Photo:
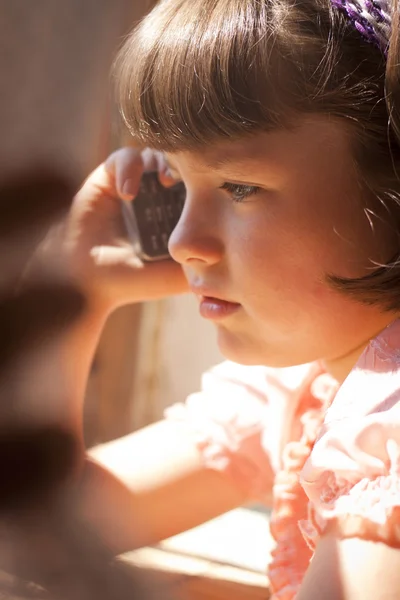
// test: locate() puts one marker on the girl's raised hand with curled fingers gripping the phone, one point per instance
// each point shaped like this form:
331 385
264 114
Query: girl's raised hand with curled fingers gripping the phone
99 252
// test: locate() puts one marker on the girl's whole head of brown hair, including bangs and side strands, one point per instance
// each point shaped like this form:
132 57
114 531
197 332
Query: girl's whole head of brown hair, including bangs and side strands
197 71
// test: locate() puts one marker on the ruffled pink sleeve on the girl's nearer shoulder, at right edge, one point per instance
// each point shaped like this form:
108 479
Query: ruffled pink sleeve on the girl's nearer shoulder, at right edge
353 473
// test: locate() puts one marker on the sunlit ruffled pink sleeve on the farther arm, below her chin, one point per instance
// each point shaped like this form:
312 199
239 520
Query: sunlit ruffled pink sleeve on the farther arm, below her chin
230 418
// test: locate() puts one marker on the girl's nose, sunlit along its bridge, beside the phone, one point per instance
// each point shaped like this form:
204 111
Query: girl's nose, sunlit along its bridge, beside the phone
197 236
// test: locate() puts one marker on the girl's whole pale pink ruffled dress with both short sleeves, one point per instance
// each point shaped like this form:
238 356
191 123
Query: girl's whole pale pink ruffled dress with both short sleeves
326 452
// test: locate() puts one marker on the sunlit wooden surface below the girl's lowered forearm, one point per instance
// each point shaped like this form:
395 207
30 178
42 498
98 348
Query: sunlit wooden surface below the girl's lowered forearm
207 563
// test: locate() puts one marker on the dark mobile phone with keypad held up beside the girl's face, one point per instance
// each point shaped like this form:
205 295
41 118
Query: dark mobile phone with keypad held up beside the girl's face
152 216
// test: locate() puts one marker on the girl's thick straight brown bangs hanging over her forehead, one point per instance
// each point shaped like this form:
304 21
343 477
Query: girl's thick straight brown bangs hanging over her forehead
199 70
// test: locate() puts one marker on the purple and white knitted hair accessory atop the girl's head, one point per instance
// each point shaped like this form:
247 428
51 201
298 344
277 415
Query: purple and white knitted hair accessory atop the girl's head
372 18
